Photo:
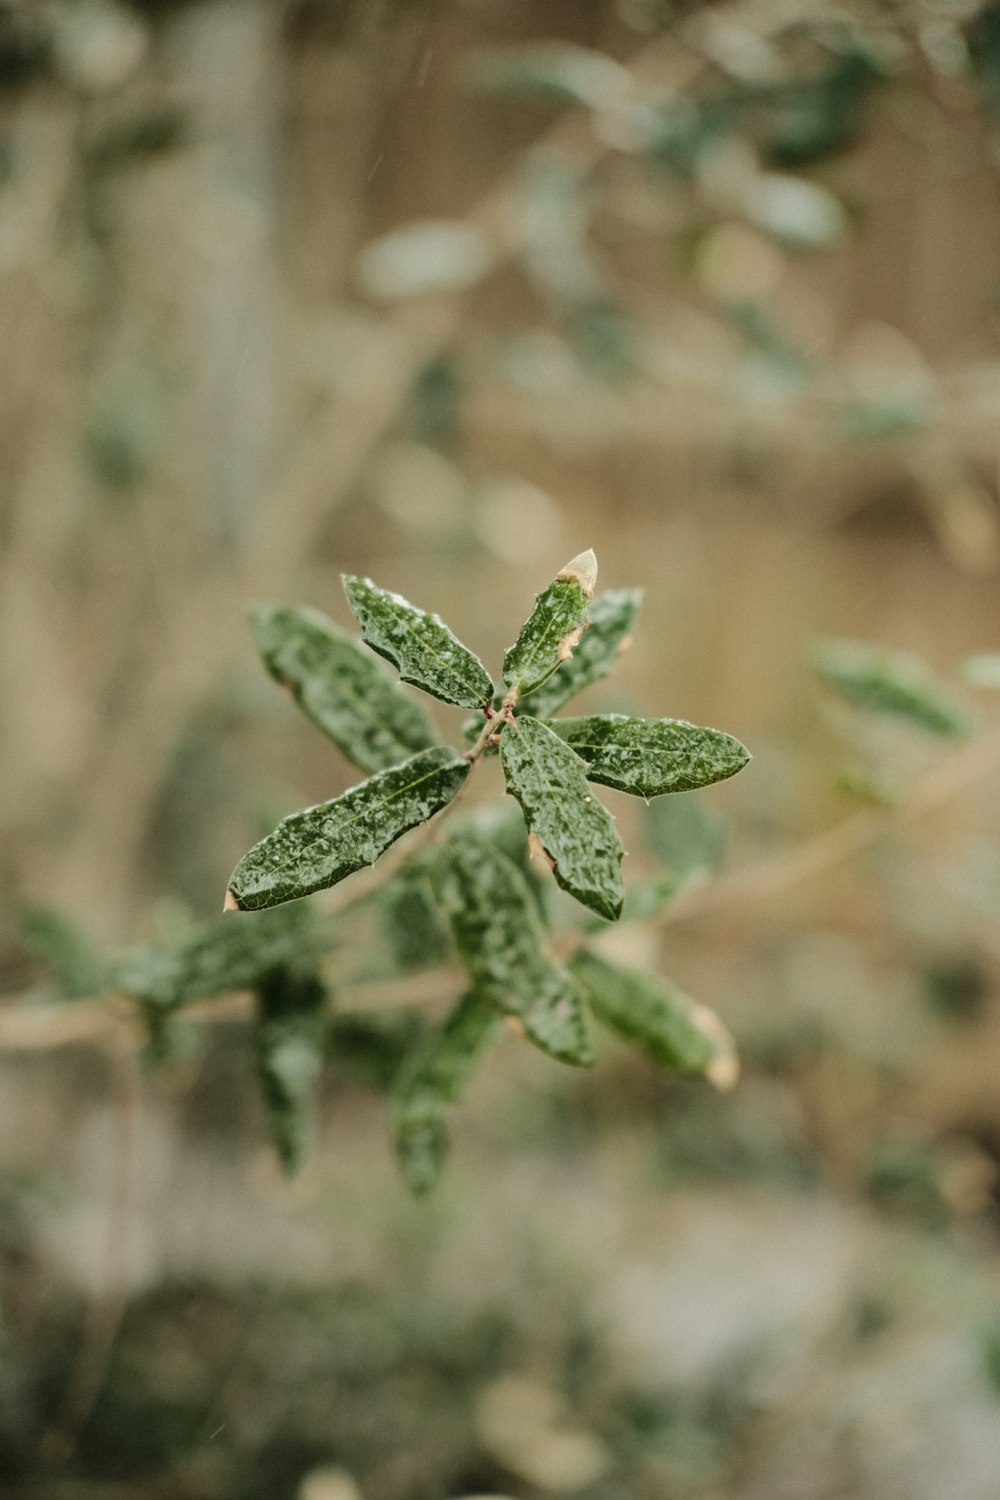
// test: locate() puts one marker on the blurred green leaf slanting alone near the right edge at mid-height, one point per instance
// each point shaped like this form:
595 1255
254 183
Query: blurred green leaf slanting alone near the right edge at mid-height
894 683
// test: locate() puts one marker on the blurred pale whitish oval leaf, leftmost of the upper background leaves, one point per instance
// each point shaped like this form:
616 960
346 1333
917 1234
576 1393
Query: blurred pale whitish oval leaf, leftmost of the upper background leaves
428 257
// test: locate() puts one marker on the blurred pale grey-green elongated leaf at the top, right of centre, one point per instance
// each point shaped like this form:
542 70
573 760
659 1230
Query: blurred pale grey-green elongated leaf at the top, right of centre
552 74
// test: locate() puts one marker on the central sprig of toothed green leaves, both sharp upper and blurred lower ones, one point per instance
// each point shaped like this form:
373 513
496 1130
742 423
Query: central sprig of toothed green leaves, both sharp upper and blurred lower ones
469 887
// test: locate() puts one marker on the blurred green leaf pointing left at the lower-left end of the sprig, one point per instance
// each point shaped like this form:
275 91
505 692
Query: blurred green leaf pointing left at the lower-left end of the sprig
232 955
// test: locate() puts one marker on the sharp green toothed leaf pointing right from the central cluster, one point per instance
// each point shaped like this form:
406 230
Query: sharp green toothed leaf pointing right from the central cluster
651 757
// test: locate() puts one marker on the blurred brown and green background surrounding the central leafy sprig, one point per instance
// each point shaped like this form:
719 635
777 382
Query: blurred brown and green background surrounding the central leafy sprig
448 293
